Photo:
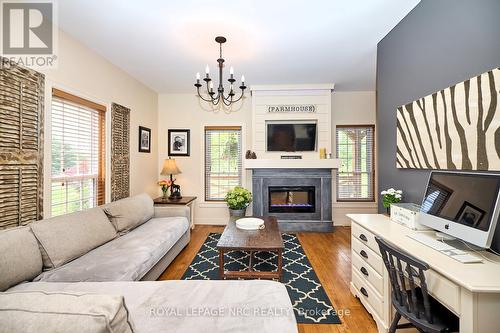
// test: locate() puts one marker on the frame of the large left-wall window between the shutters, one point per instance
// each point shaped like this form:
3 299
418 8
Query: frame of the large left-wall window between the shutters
100 178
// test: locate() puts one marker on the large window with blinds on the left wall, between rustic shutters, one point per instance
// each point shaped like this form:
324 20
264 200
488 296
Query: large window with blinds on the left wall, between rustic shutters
78 153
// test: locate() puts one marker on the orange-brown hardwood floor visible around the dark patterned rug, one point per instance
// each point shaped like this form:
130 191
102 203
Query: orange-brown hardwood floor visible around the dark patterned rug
329 254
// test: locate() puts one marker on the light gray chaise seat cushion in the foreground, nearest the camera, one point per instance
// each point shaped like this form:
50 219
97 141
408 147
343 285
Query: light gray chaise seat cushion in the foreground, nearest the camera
194 306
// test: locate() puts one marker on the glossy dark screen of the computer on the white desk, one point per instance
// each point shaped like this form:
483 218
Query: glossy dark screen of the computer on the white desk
467 199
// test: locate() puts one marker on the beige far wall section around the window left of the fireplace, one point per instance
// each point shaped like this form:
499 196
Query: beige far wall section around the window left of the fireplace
184 111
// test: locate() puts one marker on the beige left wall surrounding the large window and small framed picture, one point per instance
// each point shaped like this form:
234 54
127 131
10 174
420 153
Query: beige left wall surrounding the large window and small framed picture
84 73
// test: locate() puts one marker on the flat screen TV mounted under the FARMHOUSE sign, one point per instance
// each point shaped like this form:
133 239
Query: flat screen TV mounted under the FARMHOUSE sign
291 137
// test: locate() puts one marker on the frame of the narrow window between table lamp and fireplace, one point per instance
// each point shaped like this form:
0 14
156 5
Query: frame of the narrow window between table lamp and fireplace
206 127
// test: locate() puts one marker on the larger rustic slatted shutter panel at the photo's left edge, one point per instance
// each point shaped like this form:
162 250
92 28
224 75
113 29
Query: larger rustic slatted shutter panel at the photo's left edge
21 145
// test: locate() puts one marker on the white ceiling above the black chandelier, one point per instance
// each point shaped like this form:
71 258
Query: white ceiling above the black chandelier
164 43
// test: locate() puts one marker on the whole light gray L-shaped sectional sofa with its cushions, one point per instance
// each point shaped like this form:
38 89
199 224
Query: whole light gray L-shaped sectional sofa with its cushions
81 272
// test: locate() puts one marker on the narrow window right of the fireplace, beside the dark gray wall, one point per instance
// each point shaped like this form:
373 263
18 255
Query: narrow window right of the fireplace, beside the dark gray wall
355 177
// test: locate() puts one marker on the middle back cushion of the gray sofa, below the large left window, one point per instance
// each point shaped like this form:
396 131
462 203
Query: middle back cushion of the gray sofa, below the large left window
64 238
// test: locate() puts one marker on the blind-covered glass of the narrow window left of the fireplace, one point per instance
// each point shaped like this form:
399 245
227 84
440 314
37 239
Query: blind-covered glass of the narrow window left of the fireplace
222 161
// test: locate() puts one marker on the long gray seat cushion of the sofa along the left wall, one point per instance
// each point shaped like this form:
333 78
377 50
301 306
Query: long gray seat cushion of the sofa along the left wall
126 258
